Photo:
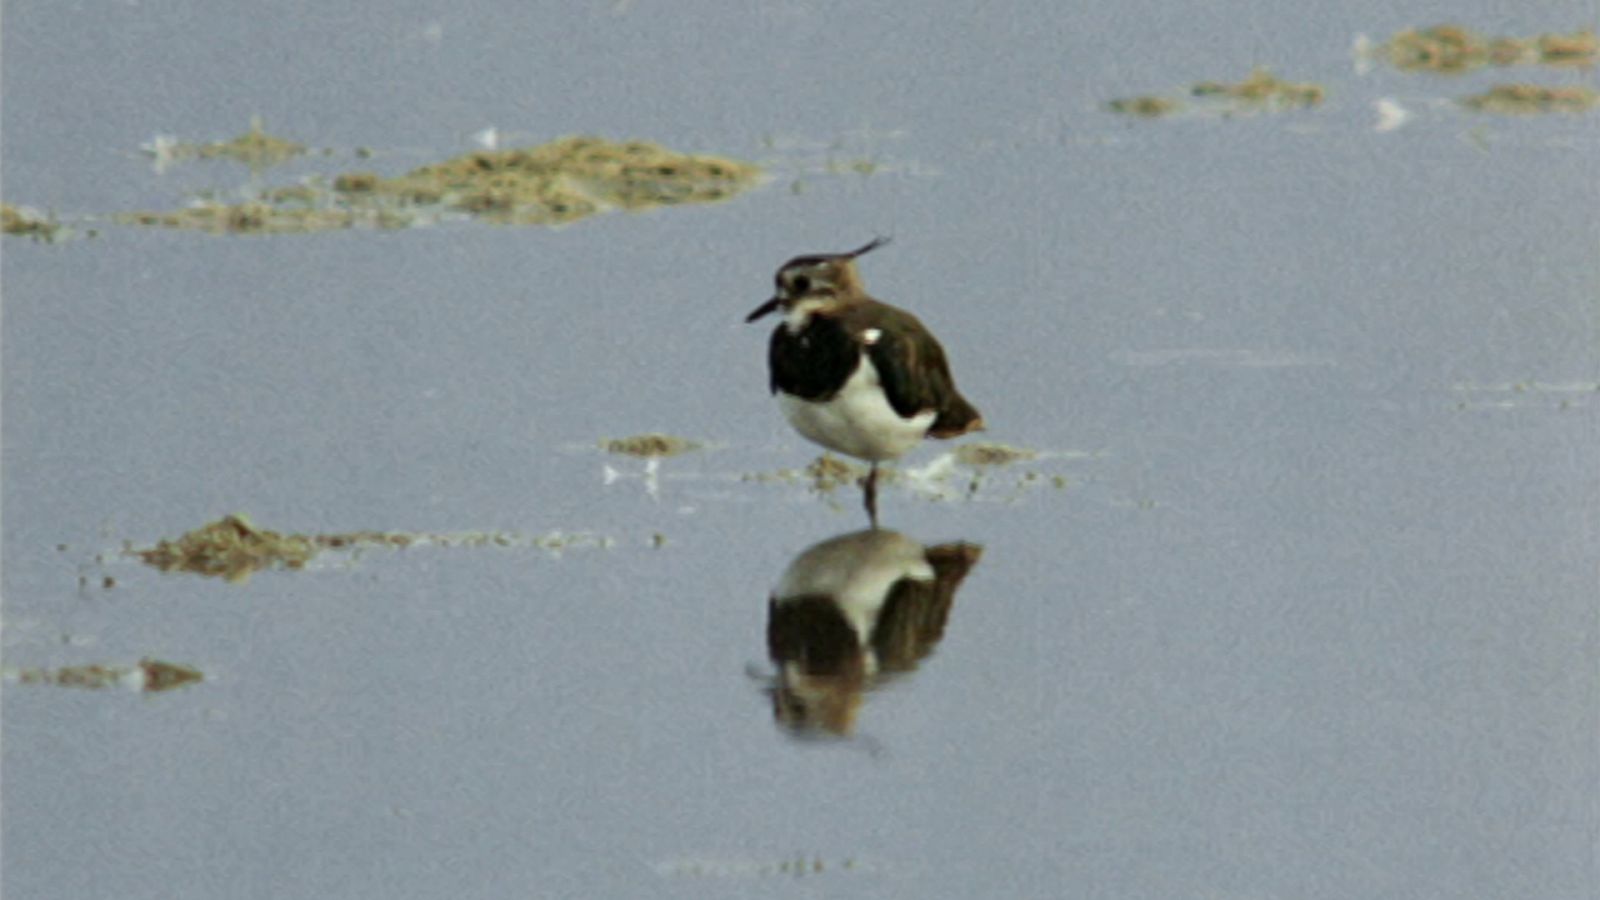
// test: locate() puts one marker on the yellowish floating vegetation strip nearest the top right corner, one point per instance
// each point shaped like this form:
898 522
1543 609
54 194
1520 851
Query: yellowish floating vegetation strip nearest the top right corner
1455 49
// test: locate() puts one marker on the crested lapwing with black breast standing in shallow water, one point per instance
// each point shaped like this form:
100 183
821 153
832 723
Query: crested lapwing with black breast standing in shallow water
857 376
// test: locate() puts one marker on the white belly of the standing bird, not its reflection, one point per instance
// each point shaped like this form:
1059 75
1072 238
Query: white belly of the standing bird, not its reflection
858 420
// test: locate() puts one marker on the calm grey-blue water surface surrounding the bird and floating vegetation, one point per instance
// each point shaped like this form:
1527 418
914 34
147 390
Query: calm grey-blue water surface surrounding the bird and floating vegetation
1298 597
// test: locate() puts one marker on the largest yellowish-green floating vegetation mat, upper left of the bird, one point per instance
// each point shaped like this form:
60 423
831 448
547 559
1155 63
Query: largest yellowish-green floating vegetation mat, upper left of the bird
548 185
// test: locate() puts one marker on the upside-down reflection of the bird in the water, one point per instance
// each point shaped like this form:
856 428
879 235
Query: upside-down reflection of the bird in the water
852 613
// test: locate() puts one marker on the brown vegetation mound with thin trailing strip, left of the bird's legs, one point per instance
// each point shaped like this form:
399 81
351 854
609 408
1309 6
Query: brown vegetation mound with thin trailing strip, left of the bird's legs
234 548
